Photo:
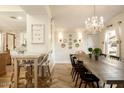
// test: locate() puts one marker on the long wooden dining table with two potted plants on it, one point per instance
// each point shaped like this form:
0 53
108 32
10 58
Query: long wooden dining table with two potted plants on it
107 70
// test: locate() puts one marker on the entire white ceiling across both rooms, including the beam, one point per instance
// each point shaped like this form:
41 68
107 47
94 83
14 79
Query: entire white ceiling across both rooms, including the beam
65 16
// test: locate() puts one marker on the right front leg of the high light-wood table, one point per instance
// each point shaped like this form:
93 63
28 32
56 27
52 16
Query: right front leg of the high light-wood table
35 73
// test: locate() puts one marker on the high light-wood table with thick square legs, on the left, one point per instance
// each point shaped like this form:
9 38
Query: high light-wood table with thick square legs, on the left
18 57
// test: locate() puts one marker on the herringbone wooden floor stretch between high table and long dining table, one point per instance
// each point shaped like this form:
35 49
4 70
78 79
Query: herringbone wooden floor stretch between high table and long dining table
61 76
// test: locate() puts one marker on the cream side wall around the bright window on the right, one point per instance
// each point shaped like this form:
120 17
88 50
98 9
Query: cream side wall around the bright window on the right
114 21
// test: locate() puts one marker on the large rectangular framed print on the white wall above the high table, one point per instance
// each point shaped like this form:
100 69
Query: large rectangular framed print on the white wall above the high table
38 31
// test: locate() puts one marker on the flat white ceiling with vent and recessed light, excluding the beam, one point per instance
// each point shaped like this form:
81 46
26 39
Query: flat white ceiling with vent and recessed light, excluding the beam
10 24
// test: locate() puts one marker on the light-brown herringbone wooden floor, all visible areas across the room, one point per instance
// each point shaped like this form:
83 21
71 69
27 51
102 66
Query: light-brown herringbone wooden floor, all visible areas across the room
61 77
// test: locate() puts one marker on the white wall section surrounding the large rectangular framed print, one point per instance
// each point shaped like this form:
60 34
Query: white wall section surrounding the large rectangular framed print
38 19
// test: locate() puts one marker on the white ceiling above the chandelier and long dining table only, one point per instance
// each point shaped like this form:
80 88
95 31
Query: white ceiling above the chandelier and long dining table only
74 16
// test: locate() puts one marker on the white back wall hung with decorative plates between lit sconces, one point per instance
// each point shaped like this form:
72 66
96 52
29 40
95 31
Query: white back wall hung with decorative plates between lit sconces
62 54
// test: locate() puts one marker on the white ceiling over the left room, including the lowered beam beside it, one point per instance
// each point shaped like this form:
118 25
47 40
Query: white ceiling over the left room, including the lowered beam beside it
14 25
